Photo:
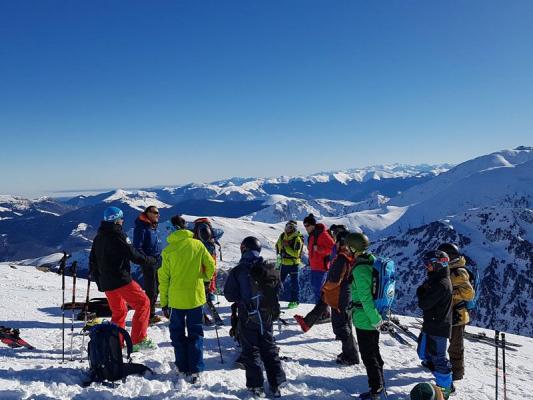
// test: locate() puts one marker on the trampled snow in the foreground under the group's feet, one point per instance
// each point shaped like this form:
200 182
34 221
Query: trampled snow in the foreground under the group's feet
31 302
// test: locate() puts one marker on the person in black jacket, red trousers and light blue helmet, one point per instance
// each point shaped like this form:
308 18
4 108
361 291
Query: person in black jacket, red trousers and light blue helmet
109 265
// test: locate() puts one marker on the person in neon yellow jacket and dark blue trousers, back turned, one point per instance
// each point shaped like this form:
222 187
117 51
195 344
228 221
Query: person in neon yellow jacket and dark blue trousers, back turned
186 266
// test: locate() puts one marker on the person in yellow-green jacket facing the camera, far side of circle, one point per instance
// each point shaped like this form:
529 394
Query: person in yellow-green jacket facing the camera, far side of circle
289 249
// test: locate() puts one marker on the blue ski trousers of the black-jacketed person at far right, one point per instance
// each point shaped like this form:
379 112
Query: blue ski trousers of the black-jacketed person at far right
433 350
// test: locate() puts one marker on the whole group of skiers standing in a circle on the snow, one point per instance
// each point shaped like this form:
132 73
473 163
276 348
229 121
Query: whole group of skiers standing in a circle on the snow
341 274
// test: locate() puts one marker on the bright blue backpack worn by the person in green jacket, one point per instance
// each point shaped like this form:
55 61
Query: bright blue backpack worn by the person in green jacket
383 284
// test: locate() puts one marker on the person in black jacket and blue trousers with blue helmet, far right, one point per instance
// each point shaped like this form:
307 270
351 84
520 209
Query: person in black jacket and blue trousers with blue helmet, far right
435 300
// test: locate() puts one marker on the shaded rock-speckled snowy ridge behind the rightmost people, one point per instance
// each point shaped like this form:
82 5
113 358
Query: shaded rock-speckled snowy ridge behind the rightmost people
497 243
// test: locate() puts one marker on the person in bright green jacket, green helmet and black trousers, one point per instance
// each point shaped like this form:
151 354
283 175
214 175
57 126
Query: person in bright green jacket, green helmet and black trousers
365 316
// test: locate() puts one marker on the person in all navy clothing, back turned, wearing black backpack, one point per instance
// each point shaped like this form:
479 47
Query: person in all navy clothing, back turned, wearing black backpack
254 285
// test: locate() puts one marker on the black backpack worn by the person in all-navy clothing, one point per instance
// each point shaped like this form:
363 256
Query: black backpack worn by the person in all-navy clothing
265 283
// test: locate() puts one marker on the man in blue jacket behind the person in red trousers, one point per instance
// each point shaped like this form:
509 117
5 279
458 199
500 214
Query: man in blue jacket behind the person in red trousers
146 240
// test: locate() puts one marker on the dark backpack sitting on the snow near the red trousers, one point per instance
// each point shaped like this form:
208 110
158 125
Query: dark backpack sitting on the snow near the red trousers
105 354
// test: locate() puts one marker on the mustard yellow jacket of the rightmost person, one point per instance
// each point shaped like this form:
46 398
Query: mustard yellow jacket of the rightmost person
462 291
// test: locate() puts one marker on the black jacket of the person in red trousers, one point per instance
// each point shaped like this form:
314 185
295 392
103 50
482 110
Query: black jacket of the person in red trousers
109 261
